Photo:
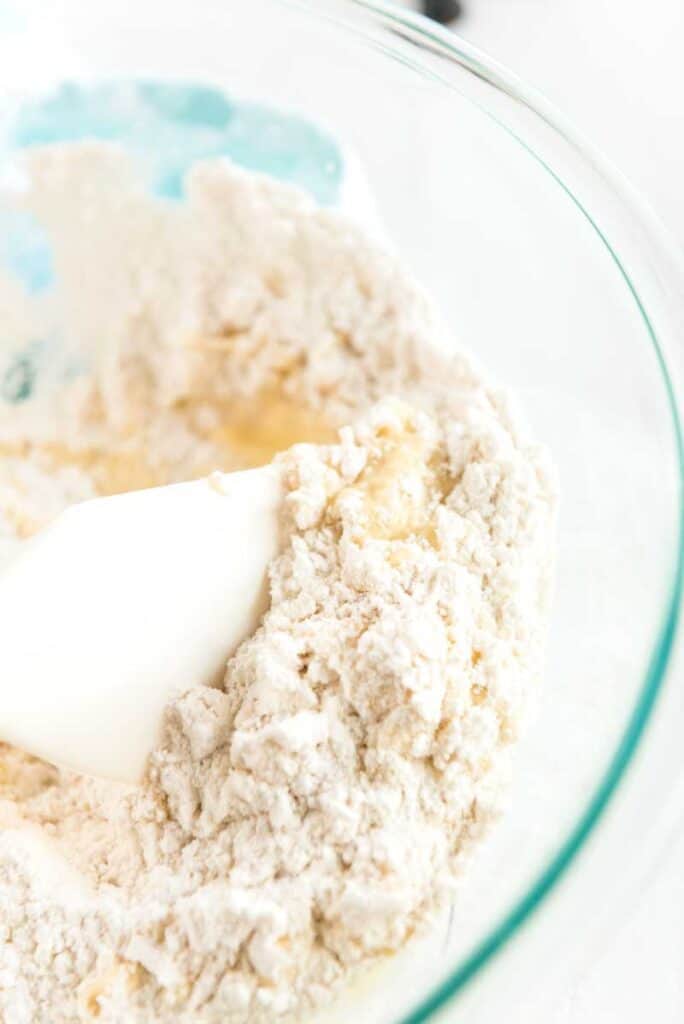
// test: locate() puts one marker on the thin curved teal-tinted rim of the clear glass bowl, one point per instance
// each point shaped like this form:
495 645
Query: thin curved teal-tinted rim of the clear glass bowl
499 77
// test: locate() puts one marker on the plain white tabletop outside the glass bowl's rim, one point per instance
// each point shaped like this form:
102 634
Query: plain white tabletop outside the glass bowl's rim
617 69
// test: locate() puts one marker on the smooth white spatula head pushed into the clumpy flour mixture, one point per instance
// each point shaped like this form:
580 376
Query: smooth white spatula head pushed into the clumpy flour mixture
121 604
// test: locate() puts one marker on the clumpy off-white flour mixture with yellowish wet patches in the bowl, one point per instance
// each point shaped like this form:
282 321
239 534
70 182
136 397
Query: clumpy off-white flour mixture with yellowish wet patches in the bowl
308 818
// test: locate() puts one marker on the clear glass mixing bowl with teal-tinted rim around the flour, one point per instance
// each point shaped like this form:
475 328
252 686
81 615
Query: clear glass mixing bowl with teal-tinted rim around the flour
548 269
